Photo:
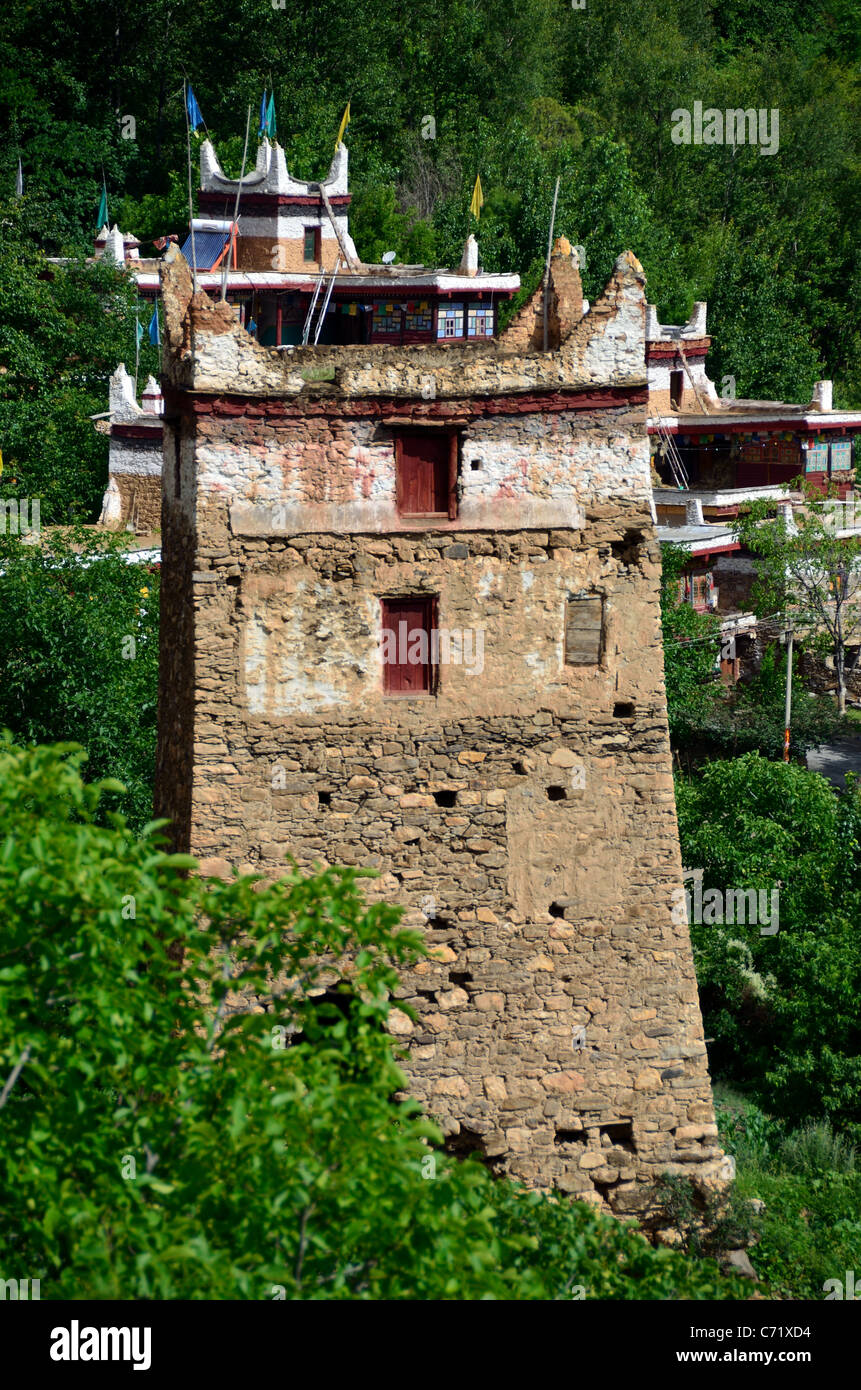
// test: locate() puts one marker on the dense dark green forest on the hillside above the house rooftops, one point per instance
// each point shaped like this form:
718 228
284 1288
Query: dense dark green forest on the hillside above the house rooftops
444 90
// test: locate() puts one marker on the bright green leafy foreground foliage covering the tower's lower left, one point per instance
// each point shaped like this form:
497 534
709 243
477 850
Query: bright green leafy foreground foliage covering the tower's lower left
200 1086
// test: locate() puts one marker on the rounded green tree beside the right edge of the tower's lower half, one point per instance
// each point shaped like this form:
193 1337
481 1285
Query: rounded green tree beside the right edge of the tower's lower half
781 1007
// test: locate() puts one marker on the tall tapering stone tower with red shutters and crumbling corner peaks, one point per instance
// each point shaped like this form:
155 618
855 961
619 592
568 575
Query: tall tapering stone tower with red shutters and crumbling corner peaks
411 622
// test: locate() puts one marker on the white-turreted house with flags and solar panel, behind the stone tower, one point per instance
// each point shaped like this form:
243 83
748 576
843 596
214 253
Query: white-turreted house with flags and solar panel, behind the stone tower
289 265
